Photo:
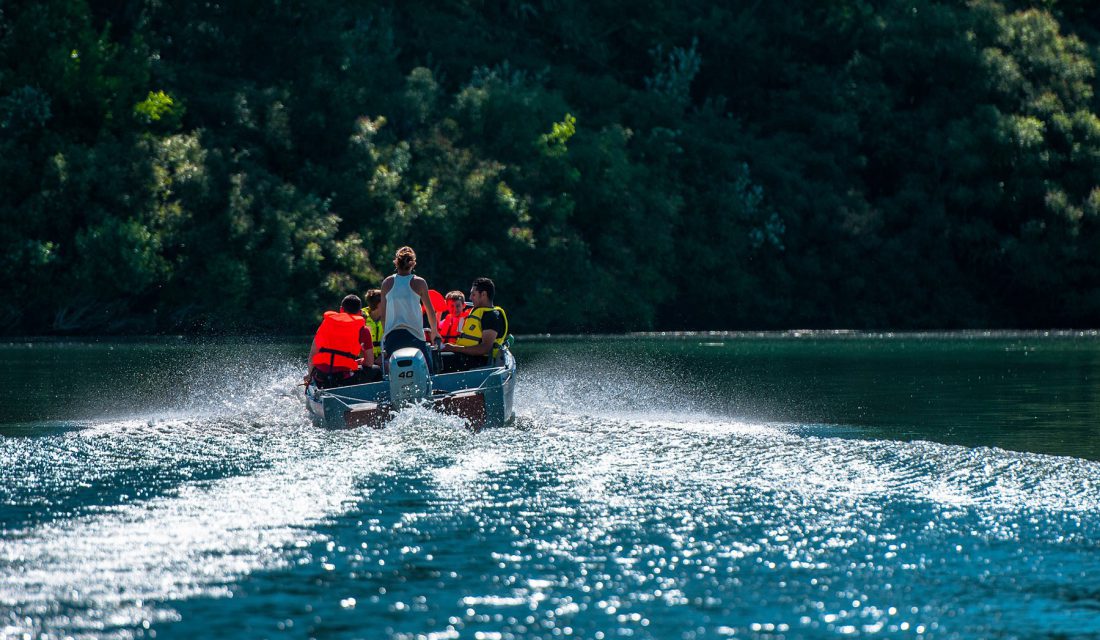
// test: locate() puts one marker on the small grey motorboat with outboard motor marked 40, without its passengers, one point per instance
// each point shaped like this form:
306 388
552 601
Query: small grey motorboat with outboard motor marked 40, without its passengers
482 396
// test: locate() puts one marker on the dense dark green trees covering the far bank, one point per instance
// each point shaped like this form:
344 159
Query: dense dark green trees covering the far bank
178 167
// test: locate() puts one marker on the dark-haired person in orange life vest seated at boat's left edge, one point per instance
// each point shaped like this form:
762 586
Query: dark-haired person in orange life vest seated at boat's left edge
343 352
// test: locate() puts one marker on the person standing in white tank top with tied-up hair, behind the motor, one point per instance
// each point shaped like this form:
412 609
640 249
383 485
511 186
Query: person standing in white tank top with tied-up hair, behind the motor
402 296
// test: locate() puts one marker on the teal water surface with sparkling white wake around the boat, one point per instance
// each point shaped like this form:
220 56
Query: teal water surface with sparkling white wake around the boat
774 487
